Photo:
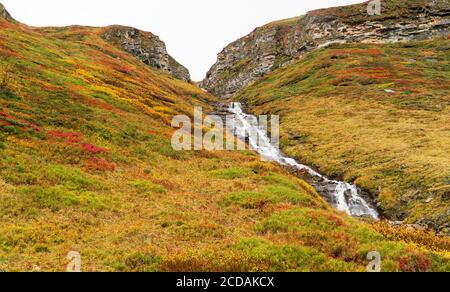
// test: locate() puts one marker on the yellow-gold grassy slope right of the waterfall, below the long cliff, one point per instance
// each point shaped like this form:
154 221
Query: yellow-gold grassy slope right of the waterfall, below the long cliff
378 116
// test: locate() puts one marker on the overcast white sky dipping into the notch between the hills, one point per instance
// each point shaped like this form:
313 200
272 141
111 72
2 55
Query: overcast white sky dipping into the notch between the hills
193 30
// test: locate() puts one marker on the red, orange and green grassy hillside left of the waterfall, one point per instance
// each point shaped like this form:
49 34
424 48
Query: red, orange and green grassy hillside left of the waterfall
86 165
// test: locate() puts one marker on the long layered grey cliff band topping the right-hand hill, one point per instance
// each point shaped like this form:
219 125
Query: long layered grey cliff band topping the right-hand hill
280 43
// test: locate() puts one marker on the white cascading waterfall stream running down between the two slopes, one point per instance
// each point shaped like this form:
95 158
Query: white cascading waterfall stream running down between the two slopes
344 196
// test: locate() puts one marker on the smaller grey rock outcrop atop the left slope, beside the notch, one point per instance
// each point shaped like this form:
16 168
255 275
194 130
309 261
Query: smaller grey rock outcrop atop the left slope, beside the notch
148 48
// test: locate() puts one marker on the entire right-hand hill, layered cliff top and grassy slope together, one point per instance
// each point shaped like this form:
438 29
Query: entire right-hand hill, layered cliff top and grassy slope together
366 110
